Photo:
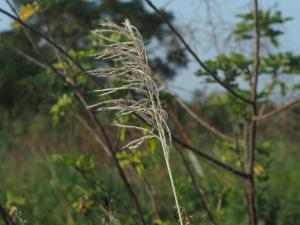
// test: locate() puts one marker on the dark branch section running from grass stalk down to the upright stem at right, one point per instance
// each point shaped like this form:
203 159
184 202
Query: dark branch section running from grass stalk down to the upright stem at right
212 159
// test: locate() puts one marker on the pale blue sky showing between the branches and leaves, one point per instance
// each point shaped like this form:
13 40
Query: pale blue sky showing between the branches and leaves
192 18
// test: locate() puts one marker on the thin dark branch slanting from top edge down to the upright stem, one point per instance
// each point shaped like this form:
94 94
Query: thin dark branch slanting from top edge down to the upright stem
195 56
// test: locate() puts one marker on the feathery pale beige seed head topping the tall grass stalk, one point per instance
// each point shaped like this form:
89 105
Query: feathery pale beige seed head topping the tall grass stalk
132 71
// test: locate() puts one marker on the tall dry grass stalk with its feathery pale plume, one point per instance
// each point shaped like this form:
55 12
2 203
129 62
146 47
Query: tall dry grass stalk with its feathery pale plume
124 49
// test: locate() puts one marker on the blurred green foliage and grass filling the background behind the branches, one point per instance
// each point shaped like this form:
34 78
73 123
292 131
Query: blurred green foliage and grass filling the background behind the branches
53 171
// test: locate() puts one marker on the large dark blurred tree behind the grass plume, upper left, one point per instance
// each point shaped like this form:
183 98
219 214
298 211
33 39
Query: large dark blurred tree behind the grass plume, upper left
69 23
